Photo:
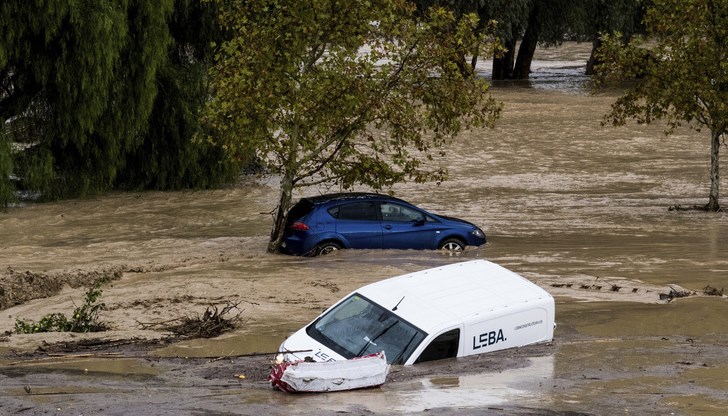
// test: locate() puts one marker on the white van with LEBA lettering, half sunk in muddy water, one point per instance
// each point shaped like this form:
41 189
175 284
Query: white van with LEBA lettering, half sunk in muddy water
450 311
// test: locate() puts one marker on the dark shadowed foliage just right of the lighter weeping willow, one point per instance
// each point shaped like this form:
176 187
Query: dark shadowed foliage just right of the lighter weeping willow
167 157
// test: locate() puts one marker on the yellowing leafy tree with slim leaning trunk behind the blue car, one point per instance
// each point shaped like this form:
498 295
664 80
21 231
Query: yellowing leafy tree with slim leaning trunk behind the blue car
338 92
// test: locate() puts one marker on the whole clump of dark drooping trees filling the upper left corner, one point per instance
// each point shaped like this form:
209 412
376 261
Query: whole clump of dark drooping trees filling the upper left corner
95 95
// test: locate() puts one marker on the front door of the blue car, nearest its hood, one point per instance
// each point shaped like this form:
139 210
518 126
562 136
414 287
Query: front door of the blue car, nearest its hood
404 227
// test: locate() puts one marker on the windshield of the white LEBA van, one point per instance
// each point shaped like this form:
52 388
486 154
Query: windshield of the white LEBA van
358 326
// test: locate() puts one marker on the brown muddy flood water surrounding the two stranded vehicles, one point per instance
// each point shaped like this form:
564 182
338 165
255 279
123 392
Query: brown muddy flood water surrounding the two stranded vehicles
579 209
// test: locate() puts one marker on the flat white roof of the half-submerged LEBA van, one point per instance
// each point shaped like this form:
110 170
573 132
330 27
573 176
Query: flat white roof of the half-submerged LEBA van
458 293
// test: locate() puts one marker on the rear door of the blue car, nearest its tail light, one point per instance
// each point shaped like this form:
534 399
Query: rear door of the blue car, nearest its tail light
359 224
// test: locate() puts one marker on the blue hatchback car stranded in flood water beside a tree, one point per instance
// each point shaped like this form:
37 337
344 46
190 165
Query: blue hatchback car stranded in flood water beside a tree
326 223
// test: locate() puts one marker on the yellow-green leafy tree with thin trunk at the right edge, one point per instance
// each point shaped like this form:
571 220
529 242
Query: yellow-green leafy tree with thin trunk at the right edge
681 72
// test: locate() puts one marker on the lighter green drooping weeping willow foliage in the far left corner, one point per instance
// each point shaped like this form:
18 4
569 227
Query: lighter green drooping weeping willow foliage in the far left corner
78 83
